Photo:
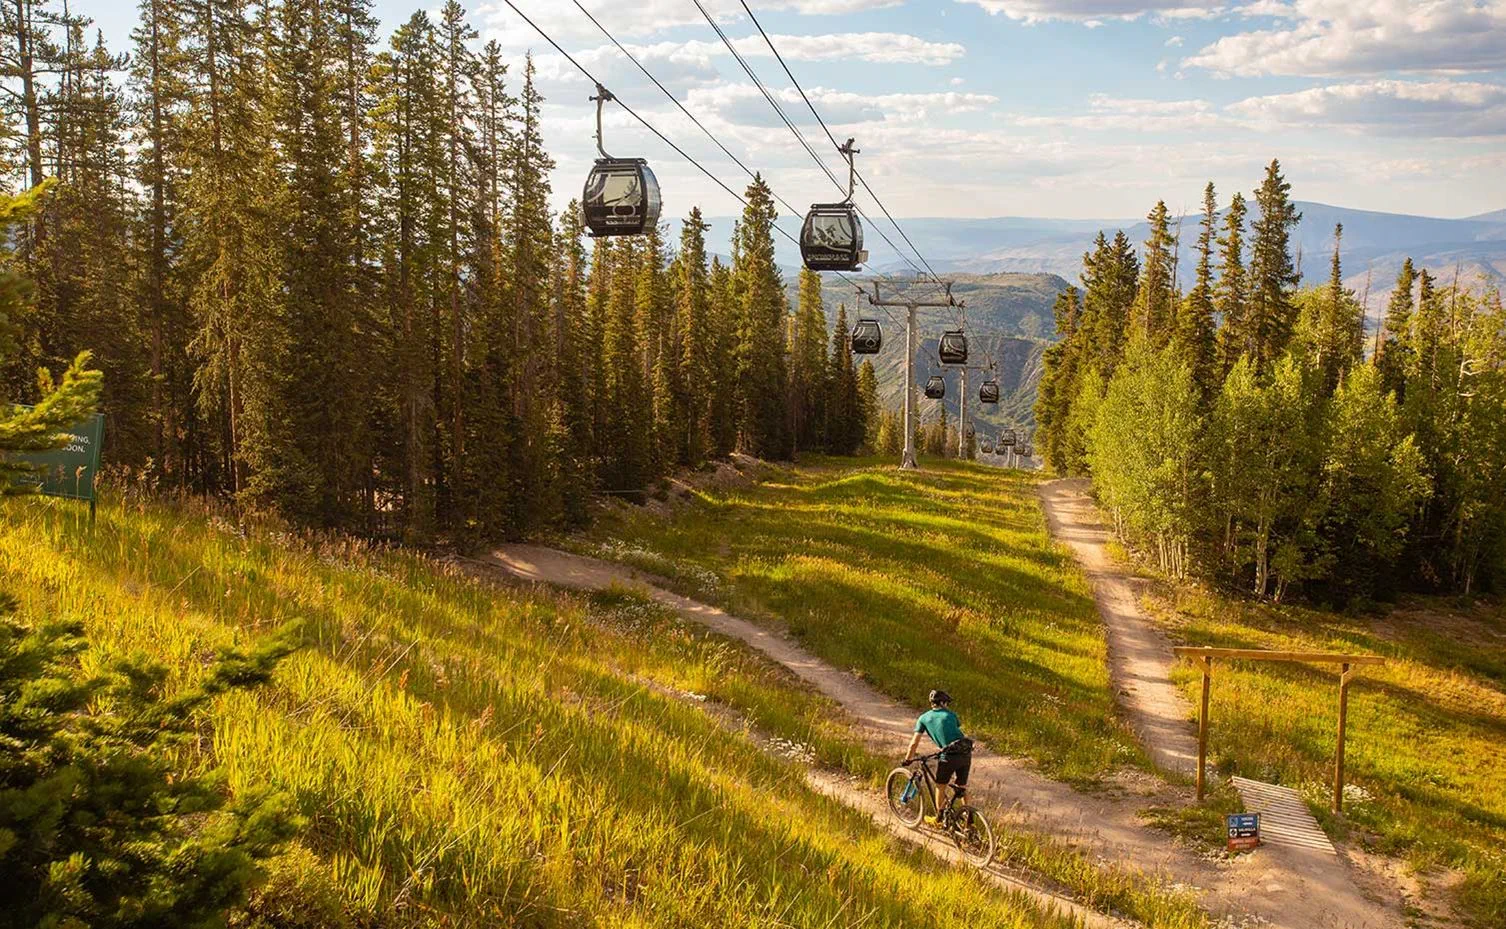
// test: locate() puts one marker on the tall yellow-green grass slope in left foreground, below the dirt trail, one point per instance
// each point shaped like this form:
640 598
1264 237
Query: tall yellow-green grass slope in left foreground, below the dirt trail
480 757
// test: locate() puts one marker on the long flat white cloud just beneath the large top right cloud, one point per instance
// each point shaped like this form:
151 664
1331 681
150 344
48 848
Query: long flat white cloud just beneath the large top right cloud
1386 108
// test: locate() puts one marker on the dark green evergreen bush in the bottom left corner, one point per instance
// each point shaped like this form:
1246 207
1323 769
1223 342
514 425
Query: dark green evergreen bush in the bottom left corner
100 824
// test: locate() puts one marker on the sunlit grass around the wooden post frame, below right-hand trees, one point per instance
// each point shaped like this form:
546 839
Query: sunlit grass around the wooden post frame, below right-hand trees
1427 733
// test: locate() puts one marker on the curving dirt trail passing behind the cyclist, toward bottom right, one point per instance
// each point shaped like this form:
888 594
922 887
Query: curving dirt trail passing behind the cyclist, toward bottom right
1254 889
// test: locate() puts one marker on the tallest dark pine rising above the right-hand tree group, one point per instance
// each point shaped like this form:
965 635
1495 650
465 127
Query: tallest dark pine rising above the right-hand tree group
1273 278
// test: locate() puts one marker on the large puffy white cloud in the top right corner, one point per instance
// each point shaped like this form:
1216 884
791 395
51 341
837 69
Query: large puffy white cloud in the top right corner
1326 38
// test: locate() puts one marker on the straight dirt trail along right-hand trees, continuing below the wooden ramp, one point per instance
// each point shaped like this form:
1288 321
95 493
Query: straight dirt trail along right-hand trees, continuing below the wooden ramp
1141 663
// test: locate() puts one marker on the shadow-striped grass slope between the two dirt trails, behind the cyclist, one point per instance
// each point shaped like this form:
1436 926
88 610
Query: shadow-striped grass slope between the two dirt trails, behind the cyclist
944 577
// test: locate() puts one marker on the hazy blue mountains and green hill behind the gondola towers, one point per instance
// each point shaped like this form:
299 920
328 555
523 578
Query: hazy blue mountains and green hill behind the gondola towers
1011 269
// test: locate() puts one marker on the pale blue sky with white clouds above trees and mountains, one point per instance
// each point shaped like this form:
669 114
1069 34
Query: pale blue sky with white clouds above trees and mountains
1084 109
